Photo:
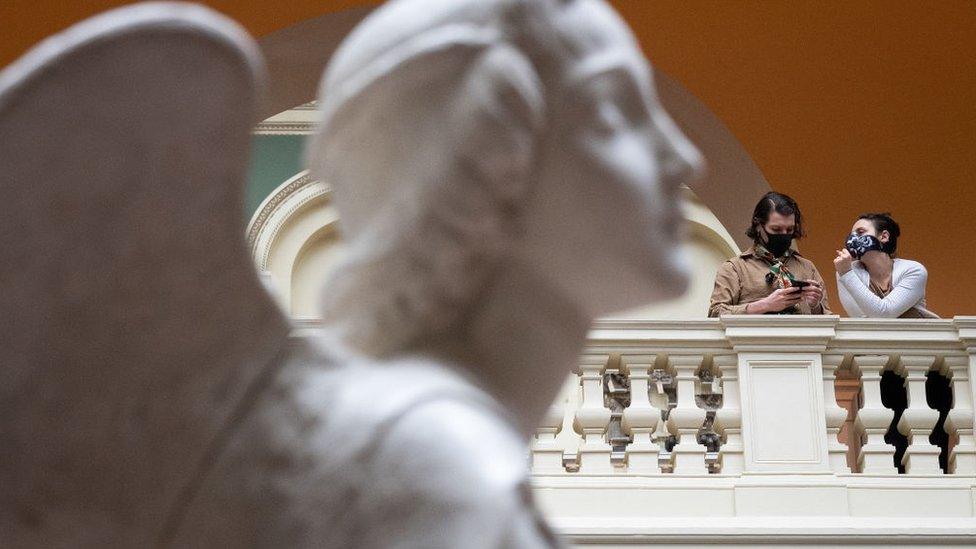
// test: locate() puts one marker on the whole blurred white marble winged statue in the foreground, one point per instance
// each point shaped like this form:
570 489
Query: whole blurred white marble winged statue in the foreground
504 174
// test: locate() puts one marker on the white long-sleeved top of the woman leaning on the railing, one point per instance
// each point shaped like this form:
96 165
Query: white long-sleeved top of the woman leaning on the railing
908 281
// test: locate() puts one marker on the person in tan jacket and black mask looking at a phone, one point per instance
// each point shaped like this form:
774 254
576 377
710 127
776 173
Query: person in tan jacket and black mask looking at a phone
770 277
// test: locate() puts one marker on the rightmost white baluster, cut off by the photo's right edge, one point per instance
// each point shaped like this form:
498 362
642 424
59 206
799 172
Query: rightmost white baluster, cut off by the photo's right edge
962 456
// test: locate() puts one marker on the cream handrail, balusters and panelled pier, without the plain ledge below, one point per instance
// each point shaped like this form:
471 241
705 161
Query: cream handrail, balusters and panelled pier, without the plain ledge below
864 348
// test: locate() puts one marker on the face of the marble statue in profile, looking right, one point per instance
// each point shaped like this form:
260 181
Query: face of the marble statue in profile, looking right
613 166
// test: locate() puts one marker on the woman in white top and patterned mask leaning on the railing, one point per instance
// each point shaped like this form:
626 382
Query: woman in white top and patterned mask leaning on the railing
871 281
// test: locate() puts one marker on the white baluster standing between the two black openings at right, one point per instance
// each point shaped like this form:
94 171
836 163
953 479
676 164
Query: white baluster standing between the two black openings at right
918 420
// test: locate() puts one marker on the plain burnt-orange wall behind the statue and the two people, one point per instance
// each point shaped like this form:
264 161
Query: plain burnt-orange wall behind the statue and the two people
848 106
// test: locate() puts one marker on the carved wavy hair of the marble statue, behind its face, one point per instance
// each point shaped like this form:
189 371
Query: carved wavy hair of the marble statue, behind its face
430 145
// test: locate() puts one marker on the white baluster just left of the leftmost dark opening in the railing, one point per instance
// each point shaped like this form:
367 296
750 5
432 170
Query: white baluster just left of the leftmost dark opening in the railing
593 417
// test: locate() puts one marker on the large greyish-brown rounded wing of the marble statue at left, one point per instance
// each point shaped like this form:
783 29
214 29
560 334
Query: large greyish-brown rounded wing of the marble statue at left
132 322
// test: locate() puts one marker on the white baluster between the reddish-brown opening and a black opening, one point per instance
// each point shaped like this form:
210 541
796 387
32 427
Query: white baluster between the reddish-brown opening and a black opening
873 419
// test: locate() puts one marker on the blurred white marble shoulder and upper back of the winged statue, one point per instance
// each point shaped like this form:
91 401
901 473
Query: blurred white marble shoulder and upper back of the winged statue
341 449
